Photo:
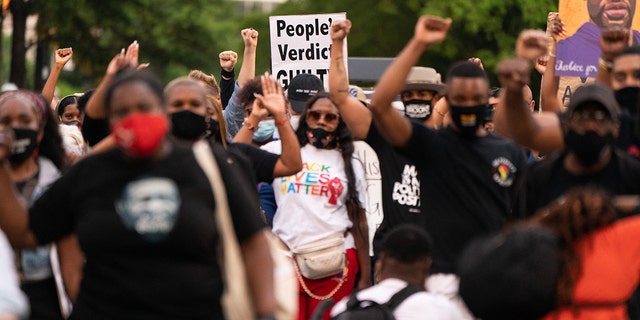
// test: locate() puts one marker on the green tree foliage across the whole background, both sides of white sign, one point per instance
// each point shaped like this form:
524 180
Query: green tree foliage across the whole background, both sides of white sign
179 35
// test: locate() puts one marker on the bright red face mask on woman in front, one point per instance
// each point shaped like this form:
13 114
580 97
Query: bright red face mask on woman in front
140 134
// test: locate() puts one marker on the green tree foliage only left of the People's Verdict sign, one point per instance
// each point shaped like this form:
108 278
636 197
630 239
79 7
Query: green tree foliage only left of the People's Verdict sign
174 35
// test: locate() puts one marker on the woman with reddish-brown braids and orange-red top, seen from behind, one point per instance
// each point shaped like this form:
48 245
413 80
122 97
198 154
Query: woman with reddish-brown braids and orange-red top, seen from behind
600 255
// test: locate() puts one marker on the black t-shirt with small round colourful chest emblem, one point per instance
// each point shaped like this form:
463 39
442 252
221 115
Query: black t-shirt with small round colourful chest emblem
470 187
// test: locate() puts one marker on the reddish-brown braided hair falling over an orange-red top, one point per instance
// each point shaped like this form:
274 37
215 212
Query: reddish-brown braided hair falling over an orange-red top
574 217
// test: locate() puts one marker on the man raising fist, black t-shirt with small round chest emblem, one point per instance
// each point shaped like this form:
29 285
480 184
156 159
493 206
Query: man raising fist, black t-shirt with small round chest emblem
471 179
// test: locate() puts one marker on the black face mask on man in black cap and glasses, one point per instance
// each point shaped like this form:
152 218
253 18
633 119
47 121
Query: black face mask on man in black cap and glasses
587 147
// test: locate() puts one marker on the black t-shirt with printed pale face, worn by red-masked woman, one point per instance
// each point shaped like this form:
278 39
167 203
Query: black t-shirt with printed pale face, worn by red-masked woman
148 233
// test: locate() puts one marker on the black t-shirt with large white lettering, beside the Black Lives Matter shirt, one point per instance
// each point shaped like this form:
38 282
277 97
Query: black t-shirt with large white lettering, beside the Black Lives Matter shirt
400 186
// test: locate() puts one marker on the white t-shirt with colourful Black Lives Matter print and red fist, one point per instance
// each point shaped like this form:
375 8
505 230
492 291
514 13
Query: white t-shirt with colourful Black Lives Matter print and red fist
311 203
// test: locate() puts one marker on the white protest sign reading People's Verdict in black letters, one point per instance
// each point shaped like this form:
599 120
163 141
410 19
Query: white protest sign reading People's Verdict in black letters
302 44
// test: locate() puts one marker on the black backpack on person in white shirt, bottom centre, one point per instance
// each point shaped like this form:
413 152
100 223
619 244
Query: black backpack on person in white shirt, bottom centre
371 310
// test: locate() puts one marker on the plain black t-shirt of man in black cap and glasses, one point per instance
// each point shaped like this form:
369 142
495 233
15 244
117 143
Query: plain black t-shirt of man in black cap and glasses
548 179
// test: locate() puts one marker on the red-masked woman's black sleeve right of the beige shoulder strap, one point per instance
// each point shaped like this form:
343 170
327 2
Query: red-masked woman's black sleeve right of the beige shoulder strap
242 195
